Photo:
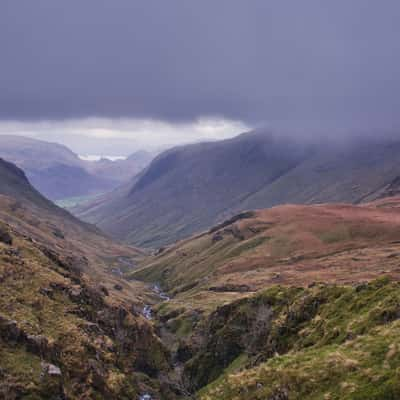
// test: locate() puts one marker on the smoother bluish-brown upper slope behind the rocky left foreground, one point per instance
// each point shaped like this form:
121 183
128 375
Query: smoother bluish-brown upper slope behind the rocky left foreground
31 214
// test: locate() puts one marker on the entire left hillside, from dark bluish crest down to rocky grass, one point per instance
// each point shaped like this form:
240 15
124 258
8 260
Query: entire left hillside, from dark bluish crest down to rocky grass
70 326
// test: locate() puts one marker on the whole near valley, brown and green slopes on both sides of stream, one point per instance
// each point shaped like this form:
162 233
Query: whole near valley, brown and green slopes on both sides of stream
288 302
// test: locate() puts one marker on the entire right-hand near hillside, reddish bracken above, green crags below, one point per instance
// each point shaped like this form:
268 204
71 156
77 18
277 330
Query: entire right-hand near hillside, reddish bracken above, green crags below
292 302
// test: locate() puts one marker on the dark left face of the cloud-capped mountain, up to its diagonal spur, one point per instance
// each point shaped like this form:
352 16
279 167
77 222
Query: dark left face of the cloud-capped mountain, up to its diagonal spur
188 188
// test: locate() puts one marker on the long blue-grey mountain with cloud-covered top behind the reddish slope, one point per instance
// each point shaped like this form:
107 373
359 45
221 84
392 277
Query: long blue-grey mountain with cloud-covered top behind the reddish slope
189 188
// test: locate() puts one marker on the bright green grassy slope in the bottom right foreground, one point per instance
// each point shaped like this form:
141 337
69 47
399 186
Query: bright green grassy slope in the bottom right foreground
326 343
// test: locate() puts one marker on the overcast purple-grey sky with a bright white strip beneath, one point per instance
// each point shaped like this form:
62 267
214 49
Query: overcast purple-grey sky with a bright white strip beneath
102 75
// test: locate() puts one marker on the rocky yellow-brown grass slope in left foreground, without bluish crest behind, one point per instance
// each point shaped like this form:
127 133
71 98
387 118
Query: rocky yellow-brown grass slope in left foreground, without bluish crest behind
68 334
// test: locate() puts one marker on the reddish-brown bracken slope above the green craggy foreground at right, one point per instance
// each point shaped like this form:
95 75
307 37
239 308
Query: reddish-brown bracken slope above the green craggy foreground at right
289 245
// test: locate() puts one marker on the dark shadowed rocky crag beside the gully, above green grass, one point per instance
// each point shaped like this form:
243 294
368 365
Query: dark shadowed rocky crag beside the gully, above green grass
258 326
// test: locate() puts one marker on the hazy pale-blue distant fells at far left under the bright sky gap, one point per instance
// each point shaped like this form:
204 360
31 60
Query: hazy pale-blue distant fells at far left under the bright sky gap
58 173
